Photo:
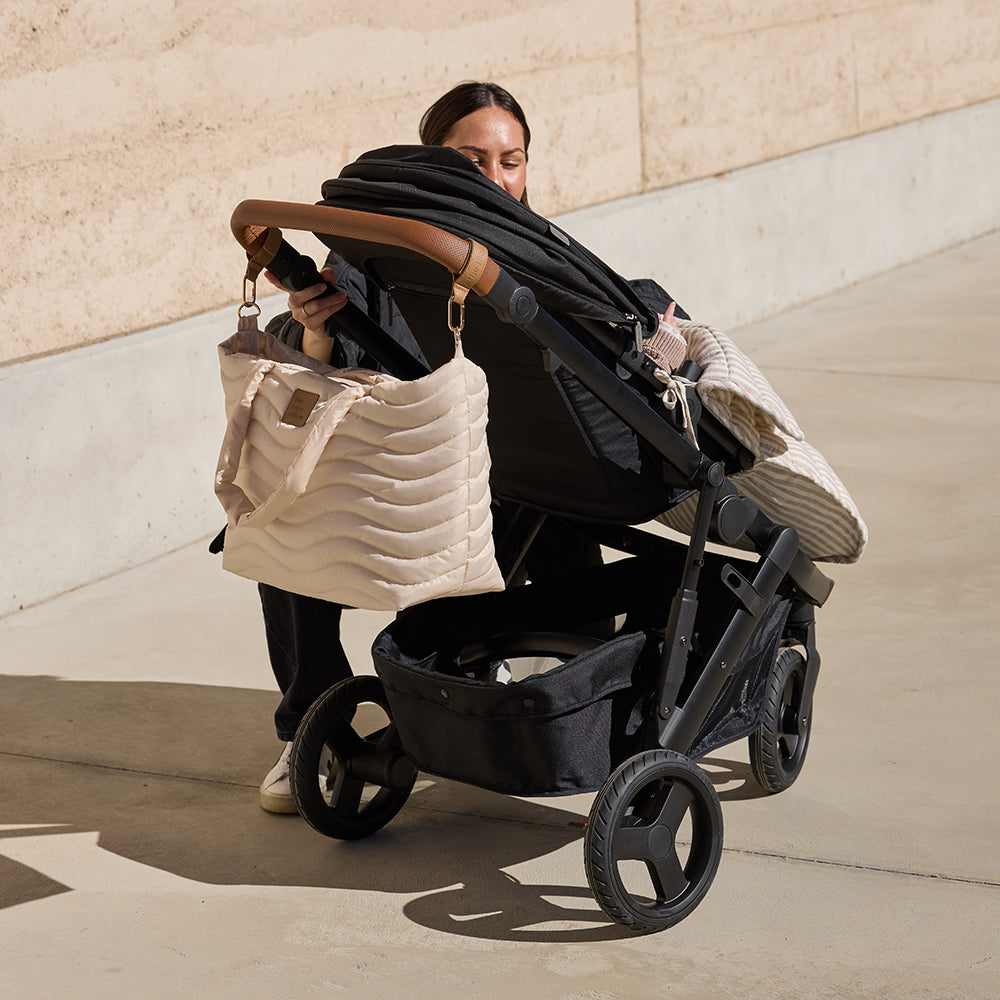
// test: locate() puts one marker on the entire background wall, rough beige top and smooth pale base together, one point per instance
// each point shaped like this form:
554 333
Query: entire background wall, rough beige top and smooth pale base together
748 160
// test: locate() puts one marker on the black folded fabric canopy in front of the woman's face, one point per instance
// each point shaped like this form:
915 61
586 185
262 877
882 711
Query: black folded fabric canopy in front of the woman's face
440 186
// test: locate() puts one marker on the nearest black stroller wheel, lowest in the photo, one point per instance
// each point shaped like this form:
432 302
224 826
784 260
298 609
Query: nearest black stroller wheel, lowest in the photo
636 817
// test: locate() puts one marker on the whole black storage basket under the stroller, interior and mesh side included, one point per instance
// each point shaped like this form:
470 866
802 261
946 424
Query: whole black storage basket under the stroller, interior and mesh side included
565 730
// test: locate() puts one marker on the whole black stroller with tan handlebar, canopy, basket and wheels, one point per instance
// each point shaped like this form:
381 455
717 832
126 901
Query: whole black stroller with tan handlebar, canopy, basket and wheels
614 678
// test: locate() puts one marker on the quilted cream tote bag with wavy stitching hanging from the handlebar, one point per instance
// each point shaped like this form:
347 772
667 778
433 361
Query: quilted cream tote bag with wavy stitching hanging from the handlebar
350 485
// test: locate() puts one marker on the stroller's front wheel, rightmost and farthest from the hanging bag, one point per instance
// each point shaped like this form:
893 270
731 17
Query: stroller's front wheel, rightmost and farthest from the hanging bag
778 748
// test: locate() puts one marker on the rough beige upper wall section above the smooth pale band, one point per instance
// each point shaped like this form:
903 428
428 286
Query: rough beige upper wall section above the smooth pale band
129 128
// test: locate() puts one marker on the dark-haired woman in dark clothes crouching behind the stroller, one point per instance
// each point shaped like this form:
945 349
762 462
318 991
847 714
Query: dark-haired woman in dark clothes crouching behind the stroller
486 124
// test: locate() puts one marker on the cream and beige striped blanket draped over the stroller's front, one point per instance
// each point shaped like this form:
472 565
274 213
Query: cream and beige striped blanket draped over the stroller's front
790 481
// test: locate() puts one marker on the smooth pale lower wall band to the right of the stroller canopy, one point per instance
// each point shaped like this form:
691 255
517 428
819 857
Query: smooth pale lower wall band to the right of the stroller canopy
747 244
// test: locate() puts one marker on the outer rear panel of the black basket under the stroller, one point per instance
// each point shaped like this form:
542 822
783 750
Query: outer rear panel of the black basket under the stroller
554 733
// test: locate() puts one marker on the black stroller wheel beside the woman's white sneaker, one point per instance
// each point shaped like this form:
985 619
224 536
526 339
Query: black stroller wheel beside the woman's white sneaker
334 800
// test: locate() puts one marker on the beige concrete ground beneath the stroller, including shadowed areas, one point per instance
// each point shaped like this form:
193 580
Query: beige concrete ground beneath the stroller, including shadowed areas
136 726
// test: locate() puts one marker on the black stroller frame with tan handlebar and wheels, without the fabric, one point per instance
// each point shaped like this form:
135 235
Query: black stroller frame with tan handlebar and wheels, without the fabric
657 791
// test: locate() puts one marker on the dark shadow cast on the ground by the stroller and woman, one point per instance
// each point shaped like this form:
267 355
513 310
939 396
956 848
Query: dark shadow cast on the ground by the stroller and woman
167 775
